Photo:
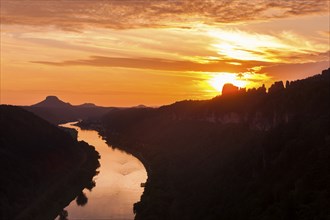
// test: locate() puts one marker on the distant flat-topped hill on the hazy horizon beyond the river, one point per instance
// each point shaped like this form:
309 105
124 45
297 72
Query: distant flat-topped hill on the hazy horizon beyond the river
56 111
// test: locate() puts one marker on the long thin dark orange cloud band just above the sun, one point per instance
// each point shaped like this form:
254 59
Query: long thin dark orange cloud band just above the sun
283 71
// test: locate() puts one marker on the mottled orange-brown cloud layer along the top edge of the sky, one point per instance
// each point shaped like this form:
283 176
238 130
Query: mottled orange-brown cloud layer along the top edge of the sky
74 15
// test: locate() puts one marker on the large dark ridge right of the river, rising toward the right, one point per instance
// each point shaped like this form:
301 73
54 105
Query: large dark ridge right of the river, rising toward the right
246 155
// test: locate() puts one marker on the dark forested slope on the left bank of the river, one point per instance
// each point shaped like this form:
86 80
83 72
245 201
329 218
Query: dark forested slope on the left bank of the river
43 168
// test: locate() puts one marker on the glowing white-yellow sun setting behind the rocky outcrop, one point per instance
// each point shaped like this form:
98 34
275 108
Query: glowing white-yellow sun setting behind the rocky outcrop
220 79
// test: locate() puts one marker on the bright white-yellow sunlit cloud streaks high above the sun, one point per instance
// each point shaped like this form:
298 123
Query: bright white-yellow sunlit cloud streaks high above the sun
283 47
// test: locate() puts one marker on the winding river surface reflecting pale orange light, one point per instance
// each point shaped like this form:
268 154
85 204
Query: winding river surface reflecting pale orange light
117 185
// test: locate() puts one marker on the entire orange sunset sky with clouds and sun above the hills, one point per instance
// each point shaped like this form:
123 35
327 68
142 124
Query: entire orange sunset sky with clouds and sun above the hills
154 52
